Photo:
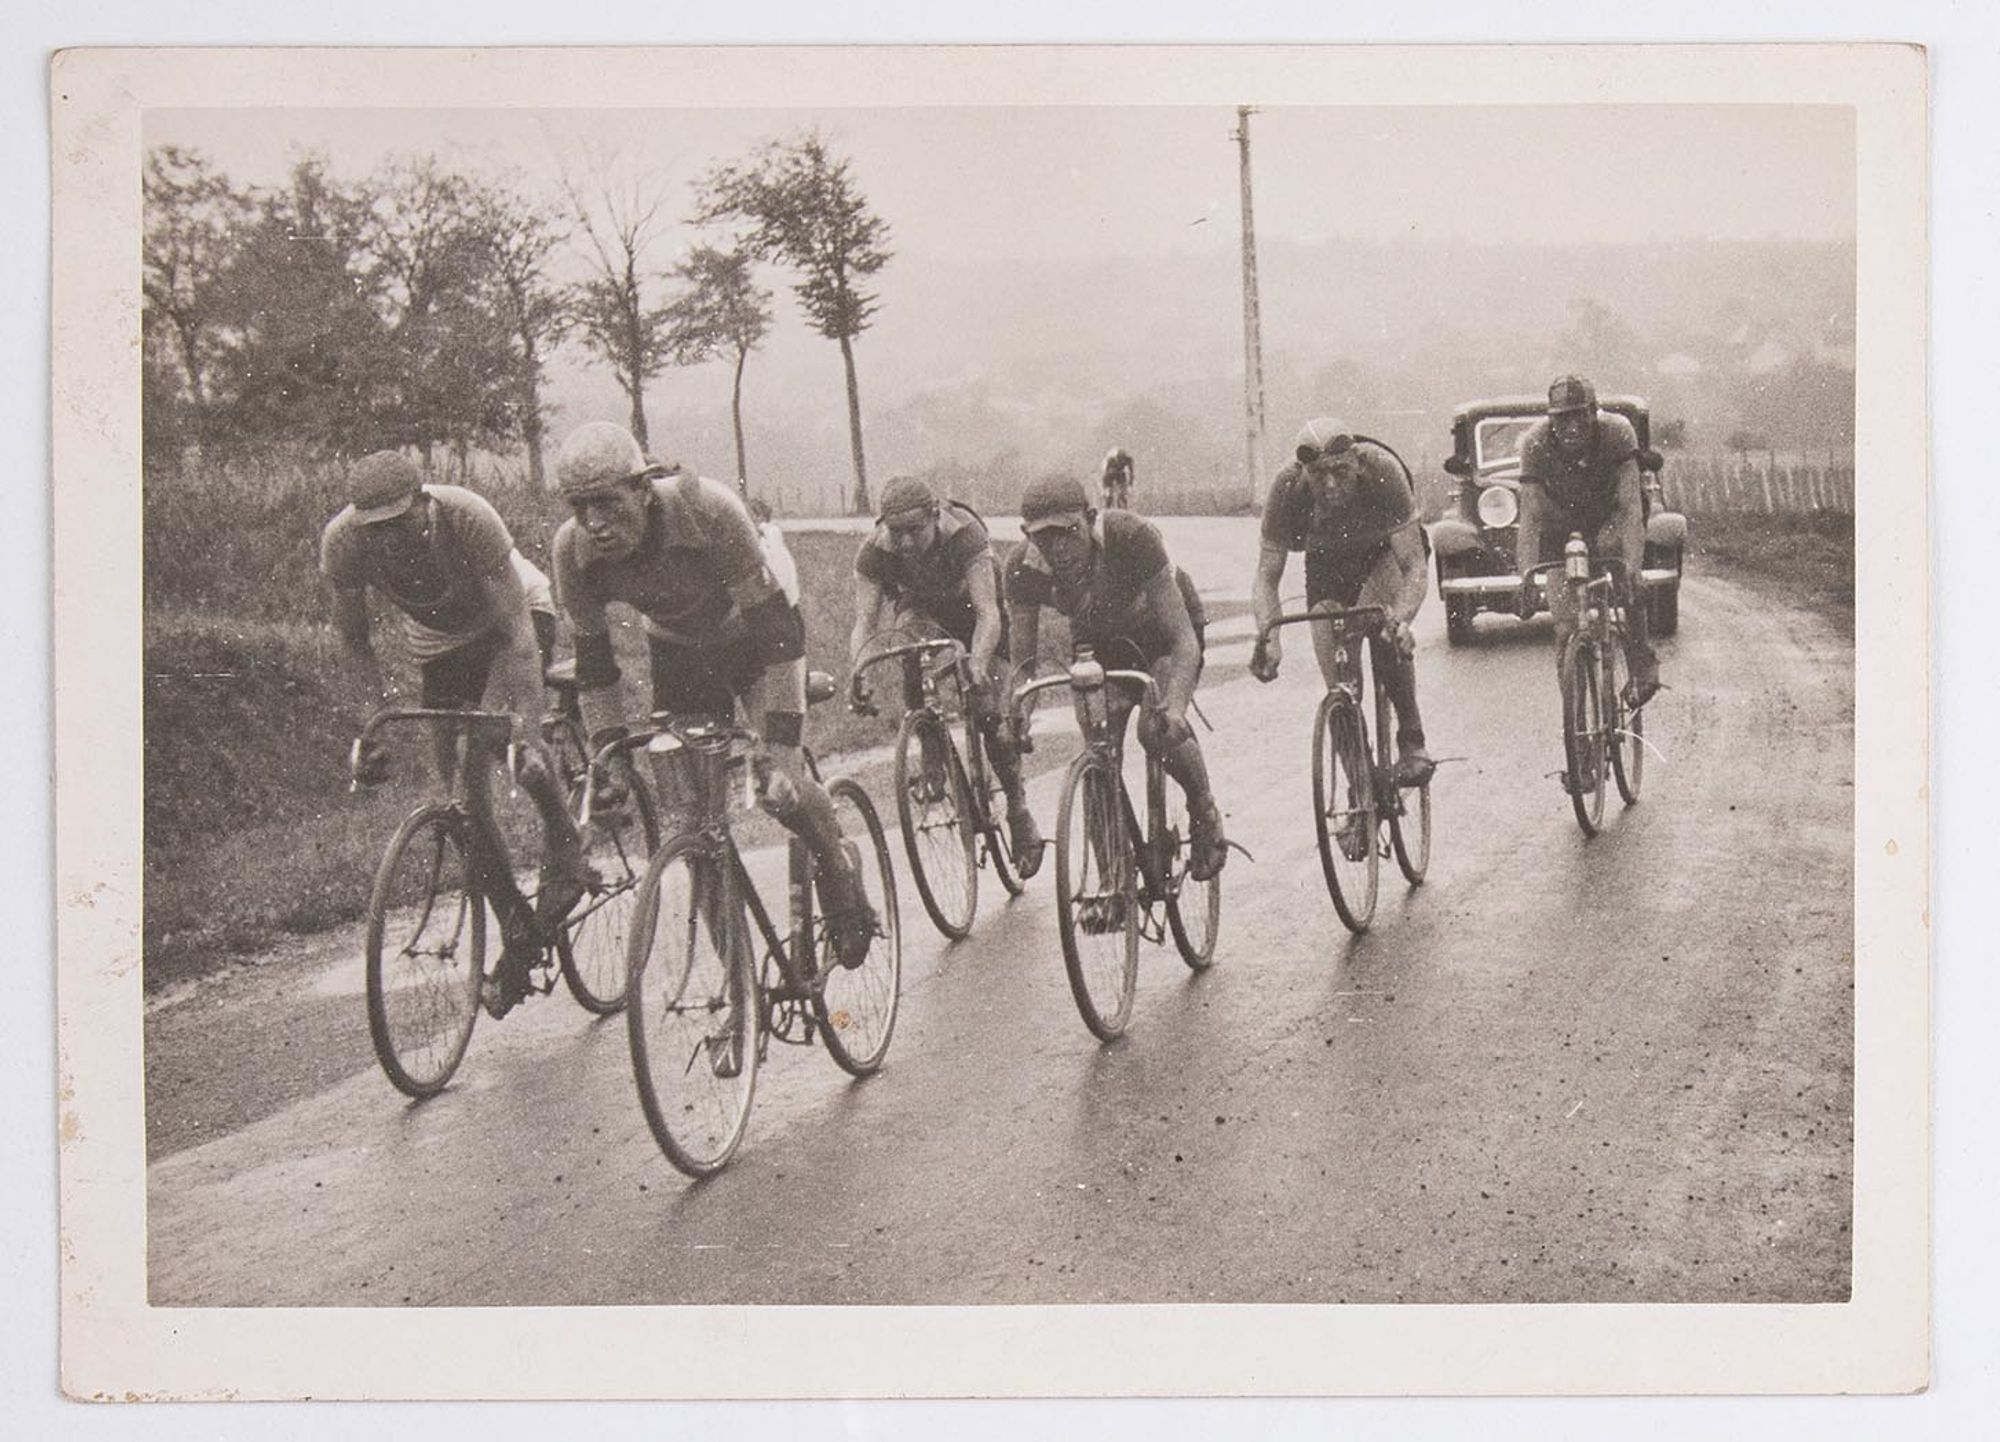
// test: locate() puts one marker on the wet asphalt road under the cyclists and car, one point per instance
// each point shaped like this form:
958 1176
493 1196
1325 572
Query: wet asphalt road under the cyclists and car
1563 1071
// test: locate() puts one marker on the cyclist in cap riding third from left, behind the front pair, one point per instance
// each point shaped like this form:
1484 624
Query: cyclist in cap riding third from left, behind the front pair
933 561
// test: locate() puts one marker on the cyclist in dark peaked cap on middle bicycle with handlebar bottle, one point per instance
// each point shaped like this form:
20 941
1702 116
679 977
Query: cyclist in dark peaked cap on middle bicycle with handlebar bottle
1111 575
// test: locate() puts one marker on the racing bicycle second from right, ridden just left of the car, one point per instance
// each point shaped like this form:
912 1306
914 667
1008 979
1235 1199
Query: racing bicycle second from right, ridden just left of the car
1359 811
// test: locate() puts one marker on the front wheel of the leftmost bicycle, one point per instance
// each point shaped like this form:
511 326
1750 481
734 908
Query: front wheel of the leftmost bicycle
427 953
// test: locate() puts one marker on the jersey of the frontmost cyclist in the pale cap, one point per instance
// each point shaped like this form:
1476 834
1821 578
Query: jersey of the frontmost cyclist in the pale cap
699 555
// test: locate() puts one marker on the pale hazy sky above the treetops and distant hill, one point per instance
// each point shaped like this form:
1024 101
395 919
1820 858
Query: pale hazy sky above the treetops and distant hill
1147 181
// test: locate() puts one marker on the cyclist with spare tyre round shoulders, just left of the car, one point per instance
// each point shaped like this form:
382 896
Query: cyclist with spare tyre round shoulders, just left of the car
1347 503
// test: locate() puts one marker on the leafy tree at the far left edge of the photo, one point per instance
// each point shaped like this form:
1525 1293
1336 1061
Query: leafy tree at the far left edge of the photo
193 219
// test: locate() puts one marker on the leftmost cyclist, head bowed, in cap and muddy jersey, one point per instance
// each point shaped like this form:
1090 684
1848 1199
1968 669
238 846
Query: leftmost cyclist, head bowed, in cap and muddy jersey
445 559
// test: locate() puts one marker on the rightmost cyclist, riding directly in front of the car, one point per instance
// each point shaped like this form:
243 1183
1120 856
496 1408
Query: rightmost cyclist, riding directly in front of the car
1579 473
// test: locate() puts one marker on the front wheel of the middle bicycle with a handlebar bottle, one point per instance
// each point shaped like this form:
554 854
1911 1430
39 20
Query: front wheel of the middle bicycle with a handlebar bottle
1097 895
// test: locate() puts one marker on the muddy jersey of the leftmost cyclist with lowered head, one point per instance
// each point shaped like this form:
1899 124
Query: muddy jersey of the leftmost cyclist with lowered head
437 579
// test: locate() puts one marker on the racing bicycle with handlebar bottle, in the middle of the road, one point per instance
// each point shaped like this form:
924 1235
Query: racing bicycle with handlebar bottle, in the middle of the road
1115 879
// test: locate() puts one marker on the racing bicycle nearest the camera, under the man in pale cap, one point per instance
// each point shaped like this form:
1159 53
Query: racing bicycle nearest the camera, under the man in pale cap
713 979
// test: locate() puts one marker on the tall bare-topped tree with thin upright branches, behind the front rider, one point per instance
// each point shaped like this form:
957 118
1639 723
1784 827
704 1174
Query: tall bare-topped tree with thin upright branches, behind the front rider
611 309
